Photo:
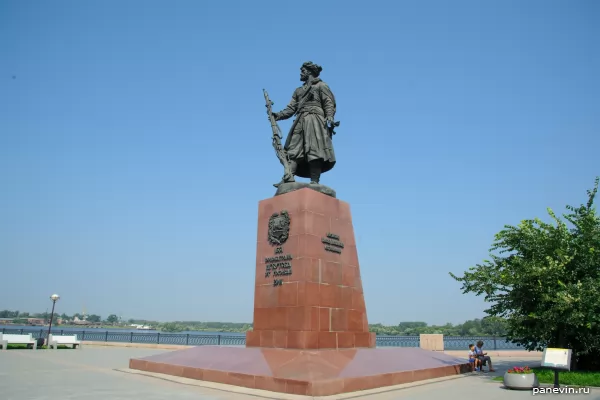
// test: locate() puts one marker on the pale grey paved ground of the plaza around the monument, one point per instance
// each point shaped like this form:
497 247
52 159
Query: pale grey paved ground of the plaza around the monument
93 374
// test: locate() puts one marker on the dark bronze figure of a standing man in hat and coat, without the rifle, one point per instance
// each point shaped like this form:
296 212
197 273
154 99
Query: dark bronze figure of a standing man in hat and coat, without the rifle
308 144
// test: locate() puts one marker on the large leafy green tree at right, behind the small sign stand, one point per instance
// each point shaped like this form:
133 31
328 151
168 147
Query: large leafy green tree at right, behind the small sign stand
545 280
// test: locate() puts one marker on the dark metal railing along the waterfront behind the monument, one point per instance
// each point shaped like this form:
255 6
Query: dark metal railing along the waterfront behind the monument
199 339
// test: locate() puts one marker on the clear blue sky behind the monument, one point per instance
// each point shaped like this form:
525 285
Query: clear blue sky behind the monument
134 144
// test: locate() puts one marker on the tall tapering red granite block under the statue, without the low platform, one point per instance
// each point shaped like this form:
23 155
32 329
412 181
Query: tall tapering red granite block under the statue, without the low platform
320 302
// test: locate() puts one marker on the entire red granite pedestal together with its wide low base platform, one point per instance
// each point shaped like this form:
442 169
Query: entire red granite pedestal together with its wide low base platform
310 334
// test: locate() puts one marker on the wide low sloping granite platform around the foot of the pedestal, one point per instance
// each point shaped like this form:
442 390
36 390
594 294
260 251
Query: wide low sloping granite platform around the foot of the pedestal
304 372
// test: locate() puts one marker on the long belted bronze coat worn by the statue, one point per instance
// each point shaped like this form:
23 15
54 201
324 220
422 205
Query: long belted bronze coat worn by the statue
309 138
